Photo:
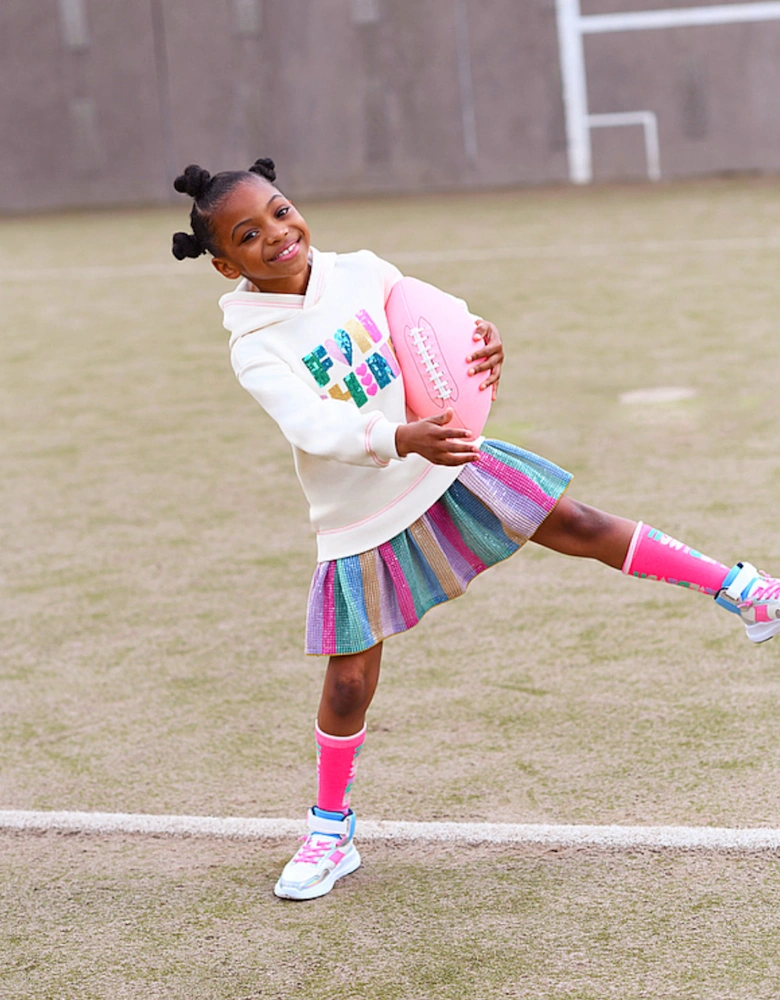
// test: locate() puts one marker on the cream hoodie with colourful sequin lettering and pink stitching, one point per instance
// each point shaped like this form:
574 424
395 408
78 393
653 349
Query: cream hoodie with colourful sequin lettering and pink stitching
322 366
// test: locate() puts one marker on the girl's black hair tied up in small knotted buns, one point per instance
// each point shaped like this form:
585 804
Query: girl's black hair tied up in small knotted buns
208 192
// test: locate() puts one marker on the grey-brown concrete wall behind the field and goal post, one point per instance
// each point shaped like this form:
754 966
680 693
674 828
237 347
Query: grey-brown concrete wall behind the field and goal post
104 101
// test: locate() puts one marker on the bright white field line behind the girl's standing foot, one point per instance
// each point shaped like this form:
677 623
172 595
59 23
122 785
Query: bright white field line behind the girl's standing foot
608 837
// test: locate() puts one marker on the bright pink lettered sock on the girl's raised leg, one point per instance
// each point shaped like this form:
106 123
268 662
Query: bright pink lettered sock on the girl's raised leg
656 556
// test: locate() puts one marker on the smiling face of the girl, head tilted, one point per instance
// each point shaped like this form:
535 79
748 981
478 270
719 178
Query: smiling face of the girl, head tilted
262 237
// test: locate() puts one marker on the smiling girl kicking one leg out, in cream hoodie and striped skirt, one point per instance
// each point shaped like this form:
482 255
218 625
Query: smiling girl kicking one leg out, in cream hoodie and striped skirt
406 513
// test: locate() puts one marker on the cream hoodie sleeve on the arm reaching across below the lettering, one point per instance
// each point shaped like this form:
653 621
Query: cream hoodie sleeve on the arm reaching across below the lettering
328 428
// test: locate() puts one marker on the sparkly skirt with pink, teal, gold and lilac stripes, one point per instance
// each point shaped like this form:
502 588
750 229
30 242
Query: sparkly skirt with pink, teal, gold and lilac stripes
488 513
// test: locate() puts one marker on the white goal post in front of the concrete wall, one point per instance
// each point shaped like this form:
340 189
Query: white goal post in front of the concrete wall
573 26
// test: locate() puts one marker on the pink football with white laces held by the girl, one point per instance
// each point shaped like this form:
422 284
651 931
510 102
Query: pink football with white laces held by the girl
432 333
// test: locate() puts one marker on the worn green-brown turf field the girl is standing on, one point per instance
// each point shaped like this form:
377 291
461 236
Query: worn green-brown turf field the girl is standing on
156 561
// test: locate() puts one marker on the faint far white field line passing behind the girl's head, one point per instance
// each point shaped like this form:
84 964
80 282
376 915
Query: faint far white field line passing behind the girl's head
542 252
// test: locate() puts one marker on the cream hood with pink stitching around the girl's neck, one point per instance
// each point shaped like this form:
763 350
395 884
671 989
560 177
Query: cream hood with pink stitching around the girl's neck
245 310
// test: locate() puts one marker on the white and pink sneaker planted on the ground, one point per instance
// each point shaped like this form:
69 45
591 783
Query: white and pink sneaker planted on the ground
327 854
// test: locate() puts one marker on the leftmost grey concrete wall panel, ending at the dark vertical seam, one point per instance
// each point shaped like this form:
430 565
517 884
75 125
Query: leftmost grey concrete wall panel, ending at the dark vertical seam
80 125
